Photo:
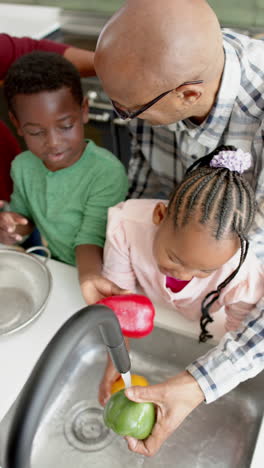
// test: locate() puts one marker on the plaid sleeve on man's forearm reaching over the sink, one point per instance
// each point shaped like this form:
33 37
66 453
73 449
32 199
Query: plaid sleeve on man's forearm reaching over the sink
238 357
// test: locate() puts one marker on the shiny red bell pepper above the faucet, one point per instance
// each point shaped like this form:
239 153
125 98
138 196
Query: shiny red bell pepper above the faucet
134 312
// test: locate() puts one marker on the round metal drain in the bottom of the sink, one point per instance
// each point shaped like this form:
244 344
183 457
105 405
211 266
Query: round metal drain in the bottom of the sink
85 429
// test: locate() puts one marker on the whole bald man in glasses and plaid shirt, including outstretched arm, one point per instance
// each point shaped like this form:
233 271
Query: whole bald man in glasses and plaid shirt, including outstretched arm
192 87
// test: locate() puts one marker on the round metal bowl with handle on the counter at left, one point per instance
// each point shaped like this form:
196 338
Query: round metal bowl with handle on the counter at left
25 286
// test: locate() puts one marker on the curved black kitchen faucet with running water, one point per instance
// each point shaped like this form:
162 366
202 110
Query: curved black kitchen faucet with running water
36 391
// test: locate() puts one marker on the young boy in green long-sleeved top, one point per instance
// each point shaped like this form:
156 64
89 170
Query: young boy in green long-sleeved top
63 184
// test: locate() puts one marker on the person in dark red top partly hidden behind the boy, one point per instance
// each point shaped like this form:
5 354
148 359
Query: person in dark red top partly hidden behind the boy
12 48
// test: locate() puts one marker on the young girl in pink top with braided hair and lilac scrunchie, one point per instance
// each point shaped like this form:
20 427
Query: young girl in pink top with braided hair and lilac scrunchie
191 253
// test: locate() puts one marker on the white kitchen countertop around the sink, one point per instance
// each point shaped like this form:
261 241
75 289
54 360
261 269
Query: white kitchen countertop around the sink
19 351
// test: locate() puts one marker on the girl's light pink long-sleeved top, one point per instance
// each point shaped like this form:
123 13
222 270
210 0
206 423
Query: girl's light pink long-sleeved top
129 262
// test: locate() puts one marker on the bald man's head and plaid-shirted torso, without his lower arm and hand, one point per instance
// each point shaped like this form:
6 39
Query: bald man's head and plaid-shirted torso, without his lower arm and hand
192 87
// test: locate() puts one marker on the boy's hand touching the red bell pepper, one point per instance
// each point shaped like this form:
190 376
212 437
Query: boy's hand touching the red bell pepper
96 287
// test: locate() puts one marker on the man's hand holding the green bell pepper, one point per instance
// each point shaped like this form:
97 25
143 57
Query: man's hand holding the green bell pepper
174 400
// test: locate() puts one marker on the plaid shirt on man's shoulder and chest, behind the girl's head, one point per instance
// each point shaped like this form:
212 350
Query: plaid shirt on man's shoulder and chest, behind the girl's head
161 155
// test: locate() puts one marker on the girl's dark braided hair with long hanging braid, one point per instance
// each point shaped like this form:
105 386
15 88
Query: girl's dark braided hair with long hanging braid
221 197
